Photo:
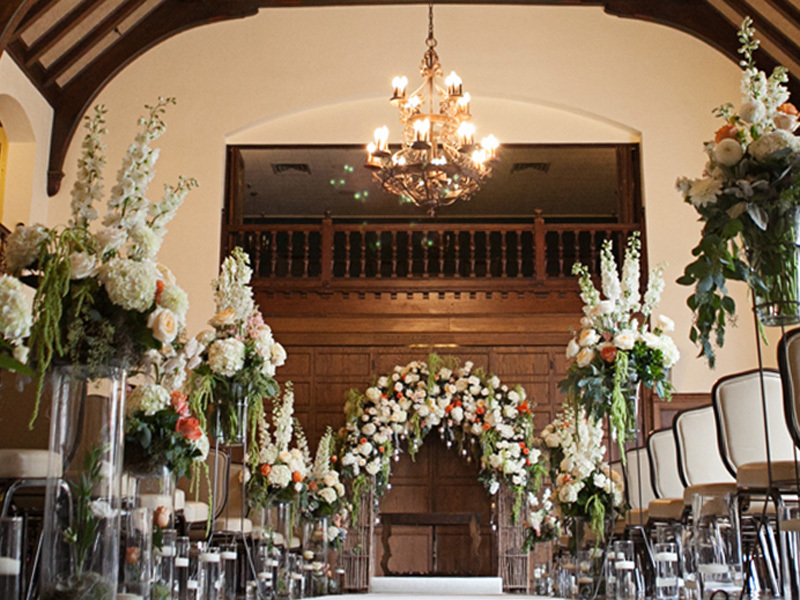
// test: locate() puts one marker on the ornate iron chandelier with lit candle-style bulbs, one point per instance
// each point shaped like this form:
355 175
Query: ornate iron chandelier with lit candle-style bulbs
439 161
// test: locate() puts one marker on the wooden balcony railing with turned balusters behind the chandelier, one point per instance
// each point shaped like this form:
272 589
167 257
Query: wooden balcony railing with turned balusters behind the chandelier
340 254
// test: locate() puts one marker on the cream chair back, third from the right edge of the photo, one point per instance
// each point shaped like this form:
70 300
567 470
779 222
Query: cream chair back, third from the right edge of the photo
699 460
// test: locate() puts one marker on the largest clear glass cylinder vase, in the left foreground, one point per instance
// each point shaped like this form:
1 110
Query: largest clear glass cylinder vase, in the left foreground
81 538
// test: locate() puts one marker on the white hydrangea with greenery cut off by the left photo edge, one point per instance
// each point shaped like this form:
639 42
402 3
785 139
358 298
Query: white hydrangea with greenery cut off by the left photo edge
15 324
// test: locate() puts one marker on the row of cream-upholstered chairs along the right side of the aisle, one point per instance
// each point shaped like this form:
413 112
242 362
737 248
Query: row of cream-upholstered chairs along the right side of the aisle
728 446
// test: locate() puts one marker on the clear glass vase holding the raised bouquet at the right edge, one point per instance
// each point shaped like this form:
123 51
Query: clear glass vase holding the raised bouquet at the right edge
774 257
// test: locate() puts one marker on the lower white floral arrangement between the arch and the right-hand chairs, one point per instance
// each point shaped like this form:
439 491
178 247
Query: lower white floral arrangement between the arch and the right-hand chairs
585 485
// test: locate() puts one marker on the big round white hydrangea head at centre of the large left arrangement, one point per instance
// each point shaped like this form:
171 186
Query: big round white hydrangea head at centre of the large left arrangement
130 284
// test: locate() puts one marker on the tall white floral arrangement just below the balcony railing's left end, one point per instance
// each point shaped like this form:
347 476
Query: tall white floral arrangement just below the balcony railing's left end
234 365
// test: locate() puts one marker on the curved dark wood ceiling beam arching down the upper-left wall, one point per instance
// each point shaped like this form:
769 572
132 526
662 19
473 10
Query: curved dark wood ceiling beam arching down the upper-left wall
168 19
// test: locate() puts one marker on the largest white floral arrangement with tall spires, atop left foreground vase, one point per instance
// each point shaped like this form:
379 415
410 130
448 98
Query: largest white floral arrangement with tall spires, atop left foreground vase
102 298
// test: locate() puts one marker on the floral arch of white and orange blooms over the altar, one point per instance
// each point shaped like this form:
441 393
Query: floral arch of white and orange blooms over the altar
482 417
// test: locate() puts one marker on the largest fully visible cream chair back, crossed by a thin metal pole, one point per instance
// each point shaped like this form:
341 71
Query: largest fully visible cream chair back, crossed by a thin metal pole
739 412
